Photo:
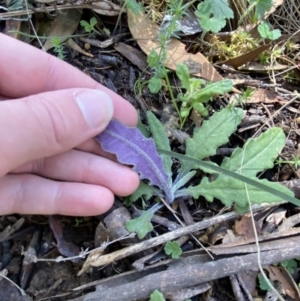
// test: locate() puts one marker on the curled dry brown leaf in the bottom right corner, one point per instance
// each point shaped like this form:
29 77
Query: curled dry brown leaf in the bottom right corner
280 274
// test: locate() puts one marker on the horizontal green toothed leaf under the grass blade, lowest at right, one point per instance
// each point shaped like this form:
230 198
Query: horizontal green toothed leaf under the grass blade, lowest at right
230 190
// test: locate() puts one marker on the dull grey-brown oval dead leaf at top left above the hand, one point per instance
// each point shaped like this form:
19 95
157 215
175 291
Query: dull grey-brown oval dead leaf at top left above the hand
63 26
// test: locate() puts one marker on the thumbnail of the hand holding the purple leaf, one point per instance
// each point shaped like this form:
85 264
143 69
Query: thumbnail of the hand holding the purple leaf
96 107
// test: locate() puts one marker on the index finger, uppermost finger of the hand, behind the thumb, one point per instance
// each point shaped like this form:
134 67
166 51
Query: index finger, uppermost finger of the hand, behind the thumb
26 70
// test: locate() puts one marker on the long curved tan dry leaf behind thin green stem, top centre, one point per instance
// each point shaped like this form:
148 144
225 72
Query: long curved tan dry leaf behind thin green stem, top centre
145 32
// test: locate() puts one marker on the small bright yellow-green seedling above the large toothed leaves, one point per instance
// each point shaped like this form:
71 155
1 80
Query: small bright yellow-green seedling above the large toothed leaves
198 91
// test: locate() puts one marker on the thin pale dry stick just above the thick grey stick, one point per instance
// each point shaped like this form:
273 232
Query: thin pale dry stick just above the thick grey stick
96 260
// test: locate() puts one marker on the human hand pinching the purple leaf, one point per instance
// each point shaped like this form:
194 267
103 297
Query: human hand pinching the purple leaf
49 163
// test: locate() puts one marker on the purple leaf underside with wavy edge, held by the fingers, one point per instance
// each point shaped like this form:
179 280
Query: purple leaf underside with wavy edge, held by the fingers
132 148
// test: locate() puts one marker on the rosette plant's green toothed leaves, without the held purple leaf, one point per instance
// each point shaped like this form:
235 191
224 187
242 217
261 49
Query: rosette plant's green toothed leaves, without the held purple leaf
256 155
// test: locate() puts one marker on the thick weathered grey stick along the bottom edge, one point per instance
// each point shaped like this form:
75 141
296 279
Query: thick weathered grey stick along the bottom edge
193 274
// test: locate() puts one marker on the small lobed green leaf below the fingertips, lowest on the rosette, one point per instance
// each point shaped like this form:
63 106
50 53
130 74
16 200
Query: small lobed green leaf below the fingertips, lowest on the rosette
141 225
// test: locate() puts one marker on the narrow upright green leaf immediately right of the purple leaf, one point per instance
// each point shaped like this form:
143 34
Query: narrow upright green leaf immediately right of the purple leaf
161 140
